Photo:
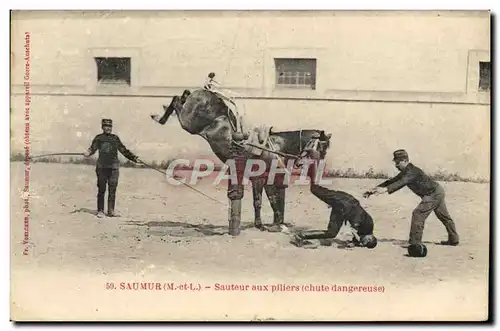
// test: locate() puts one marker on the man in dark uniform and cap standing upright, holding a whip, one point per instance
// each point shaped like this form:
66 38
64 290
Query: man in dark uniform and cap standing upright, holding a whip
107 168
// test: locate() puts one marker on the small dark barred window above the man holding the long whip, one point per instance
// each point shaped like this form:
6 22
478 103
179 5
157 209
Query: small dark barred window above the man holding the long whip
113 70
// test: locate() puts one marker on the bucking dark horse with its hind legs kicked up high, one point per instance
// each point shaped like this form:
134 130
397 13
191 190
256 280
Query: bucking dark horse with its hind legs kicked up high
204 113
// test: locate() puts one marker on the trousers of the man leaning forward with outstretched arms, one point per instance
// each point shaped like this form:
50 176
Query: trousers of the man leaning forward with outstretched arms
434 202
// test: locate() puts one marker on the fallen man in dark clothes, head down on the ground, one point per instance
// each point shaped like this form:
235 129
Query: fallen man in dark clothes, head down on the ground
345 208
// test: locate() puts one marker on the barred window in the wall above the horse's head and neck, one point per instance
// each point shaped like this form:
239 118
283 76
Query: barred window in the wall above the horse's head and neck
296 73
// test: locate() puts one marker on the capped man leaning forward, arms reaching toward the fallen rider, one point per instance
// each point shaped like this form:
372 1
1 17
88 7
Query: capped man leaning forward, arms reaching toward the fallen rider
432 194
